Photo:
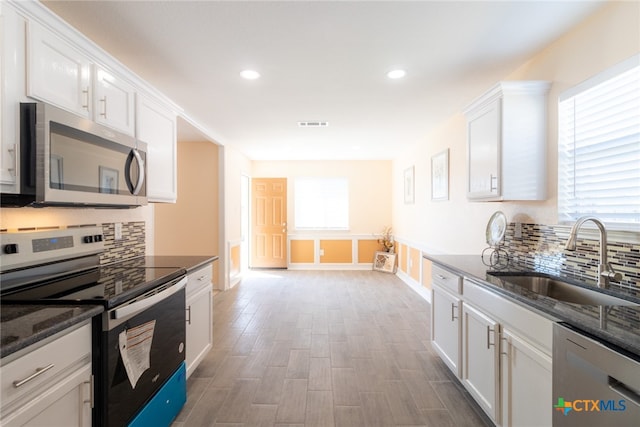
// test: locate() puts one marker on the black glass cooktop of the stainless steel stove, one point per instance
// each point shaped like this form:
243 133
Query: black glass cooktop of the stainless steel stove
108 285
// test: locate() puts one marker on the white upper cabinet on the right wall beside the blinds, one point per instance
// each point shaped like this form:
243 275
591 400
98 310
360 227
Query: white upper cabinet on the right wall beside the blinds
506 142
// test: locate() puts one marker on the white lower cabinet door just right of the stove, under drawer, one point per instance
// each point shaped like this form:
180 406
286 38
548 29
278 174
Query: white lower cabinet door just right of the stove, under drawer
199 327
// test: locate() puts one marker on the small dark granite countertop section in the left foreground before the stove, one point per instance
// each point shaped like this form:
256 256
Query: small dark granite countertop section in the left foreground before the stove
23 325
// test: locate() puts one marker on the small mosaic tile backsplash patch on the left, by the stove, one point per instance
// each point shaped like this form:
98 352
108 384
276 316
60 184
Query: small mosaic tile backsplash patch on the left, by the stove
131 245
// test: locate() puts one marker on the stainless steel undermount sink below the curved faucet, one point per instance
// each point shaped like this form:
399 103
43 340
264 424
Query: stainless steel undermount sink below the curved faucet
560 290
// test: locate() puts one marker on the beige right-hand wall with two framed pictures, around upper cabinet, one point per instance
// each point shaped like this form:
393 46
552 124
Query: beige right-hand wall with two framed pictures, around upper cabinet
458 226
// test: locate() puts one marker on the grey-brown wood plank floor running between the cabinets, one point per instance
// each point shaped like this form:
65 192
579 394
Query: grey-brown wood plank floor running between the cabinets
323 348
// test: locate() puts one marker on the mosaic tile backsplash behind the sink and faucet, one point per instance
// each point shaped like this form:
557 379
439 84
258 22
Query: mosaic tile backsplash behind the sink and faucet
543 247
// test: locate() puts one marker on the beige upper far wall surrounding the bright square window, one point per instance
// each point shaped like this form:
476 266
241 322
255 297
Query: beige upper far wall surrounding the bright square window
369 188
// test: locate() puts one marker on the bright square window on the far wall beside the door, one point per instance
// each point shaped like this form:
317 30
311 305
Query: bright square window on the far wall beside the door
321 203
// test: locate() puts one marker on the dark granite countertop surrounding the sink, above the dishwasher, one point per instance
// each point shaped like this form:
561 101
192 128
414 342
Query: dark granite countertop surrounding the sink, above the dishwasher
622 328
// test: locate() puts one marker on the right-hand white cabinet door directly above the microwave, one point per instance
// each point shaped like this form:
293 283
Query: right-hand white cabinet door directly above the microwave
113 101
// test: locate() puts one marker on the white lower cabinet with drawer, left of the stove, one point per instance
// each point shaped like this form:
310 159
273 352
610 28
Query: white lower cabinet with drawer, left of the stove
50 385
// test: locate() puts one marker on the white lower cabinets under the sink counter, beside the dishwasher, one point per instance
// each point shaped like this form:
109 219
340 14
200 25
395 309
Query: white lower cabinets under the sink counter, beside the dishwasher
500 350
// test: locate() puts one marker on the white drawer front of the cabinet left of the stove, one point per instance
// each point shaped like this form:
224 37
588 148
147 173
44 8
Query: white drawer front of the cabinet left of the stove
53 360
